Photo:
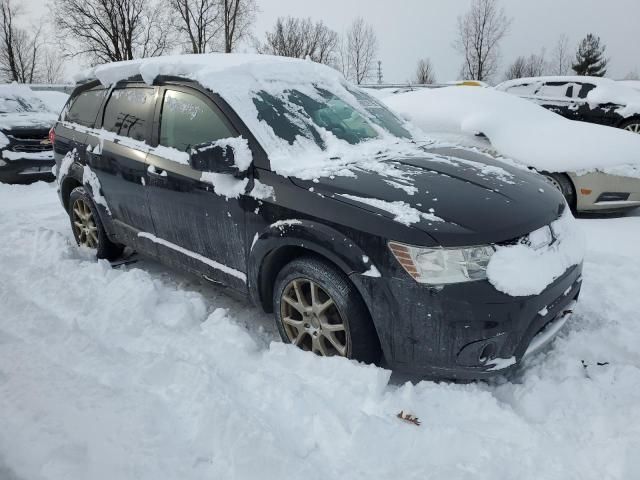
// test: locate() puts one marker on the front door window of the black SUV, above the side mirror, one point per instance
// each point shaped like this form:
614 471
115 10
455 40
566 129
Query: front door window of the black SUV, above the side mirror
188 120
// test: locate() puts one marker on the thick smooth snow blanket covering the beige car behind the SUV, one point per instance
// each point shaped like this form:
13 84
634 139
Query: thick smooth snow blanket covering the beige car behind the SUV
523 131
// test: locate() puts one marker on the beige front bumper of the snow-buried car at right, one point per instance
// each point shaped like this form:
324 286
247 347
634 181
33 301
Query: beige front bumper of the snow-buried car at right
601 192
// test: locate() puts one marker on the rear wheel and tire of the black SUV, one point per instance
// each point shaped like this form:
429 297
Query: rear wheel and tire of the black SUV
87 227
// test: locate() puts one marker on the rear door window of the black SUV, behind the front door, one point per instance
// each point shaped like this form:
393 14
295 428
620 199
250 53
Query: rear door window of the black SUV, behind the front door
128 111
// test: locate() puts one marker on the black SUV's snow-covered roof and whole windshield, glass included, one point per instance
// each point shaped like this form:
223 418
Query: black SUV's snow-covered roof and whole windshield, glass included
296 109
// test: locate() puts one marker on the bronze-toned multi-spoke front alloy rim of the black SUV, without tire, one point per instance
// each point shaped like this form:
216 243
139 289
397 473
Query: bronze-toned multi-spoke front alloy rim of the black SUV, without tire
311 319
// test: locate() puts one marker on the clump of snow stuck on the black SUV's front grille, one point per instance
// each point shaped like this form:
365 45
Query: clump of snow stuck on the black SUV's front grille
522 270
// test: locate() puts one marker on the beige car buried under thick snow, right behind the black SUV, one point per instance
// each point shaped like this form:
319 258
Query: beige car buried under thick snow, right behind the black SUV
596 168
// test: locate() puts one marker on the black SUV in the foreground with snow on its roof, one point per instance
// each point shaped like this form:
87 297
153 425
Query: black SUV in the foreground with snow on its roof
381 256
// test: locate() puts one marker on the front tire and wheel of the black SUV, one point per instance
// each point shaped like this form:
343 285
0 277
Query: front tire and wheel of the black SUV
315 331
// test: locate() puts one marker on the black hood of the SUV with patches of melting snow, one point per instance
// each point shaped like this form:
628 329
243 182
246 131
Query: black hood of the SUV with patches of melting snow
458 196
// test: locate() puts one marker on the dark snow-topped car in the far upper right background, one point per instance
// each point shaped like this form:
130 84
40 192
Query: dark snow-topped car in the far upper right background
588 99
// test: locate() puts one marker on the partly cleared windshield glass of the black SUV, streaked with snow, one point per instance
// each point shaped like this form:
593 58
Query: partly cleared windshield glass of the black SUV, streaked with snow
293 113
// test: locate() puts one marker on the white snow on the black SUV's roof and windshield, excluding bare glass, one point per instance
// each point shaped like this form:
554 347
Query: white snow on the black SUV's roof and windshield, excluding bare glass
240 79
